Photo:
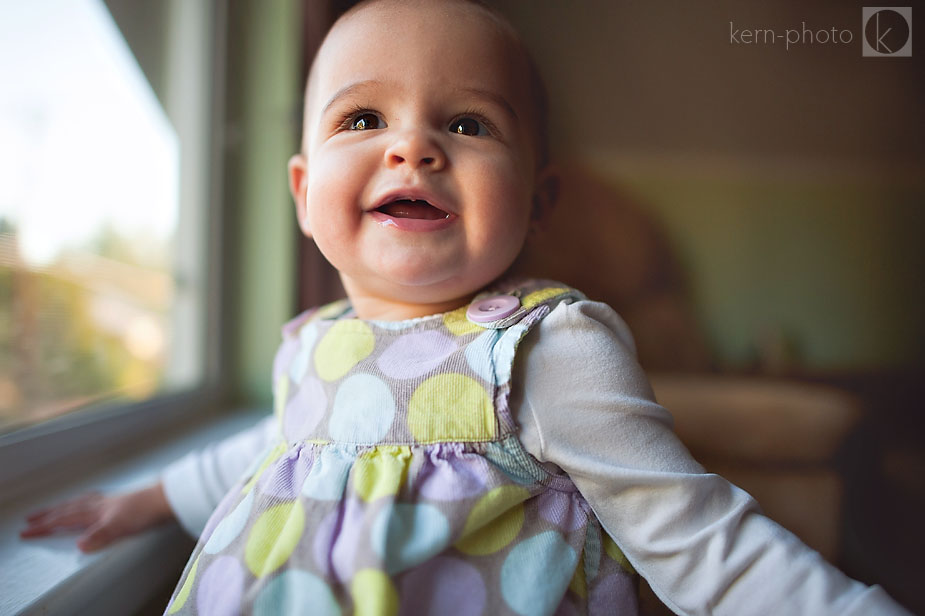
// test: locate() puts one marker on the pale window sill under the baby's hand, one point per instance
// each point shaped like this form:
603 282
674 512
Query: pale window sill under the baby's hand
51 576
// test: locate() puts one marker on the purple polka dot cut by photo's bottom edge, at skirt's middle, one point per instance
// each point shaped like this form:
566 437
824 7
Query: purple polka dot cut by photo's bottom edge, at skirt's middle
443 585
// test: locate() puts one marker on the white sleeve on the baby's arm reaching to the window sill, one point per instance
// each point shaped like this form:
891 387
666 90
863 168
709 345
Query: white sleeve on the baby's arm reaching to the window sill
195 484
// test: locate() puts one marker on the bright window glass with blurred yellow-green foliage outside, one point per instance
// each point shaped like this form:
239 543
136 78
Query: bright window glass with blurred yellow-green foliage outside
105 238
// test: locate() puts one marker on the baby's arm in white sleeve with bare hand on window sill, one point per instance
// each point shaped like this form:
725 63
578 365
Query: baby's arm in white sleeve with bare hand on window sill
188 491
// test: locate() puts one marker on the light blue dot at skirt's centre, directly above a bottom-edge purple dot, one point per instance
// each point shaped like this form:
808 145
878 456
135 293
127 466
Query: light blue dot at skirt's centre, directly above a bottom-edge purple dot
405 535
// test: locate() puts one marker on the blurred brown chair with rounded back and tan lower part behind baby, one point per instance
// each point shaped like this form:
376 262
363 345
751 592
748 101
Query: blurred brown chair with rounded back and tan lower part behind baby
775 437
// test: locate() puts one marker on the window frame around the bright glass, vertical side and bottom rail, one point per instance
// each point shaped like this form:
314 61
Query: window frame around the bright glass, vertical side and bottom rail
106 430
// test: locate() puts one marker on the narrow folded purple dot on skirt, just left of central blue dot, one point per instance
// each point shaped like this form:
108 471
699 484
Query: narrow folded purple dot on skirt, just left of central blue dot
337 541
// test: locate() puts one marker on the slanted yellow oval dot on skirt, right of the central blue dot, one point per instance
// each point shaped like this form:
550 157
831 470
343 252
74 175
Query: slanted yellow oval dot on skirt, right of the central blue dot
494 521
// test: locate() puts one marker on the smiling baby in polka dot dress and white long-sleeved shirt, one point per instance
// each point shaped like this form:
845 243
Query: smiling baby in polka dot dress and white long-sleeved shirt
447 440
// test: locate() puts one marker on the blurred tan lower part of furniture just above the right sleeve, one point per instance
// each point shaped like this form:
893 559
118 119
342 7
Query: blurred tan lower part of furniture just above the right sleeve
776 438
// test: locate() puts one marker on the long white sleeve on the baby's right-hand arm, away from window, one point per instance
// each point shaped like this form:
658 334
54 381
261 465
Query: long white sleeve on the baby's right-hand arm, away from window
701 543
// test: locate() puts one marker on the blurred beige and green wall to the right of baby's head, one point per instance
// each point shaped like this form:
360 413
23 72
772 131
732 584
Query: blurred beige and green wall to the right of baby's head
791 182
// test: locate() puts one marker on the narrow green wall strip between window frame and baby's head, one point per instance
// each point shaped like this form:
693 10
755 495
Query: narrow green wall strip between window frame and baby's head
264 93
